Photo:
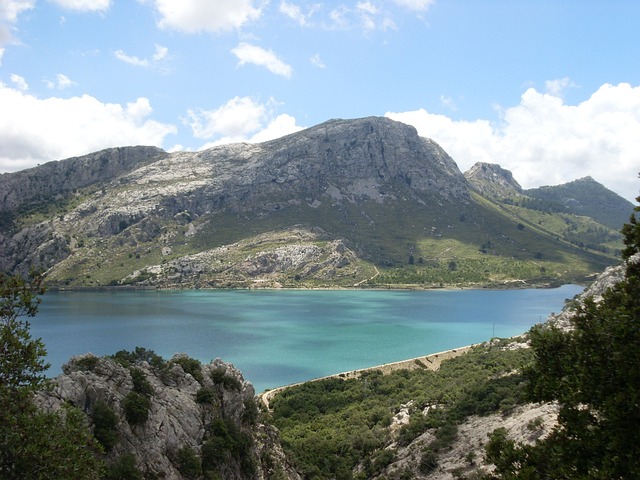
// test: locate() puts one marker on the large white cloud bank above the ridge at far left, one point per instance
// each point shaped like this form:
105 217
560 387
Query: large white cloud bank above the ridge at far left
34 130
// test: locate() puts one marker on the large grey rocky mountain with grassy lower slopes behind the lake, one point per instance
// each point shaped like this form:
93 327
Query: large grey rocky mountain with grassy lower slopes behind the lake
364 202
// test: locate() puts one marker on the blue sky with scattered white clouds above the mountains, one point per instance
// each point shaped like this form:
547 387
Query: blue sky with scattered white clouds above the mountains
549 89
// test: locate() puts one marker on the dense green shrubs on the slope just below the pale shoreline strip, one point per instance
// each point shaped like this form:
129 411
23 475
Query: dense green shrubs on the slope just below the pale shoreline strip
330 426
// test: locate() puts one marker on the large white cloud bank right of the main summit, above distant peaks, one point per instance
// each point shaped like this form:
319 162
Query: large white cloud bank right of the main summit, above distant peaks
544 141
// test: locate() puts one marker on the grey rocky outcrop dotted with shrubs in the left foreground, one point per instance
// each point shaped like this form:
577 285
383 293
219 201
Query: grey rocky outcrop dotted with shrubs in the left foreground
205 417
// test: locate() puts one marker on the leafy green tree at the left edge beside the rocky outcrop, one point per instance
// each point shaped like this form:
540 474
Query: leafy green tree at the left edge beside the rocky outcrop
35 444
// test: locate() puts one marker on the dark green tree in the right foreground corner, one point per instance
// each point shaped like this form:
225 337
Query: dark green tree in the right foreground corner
593 371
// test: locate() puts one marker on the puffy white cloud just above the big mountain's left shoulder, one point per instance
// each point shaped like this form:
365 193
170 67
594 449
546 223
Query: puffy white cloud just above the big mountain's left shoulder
240 119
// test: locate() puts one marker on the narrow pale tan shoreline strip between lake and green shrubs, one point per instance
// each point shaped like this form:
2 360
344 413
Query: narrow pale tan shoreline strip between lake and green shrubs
431 361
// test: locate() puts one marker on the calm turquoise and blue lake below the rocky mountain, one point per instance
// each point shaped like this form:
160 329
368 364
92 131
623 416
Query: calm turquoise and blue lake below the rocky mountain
280 337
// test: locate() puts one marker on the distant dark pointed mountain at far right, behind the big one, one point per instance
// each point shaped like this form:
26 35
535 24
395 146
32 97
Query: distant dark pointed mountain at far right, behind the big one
587 197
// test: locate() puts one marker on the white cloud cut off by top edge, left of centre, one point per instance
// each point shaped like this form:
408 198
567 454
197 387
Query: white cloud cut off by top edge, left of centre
214 16
